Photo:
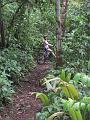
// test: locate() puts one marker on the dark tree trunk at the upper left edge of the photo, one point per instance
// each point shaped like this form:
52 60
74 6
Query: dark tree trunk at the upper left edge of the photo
2 37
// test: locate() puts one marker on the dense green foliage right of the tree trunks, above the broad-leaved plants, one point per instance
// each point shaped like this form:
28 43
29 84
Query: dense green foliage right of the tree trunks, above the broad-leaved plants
76 43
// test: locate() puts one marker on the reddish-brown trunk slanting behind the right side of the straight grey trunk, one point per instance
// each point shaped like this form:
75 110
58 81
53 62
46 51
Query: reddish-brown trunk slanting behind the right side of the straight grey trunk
63 17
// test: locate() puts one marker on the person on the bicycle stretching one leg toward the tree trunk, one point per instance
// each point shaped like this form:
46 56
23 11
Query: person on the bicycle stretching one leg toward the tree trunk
47 46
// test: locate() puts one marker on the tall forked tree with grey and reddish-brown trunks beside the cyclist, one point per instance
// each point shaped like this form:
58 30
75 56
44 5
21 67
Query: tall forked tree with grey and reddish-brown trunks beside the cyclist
60 28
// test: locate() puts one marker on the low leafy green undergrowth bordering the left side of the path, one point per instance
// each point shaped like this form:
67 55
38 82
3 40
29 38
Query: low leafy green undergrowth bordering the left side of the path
14 63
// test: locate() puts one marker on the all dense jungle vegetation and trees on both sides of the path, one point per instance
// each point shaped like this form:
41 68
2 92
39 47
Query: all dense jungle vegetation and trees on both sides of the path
23 23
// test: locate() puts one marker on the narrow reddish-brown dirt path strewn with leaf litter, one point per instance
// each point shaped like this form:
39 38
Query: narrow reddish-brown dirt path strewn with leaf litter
25 104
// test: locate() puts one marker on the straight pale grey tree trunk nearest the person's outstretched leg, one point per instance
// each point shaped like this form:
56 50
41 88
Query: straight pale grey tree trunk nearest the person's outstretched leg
58 34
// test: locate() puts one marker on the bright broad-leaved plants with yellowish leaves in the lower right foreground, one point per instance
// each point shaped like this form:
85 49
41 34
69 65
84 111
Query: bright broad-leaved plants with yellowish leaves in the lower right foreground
66 97
